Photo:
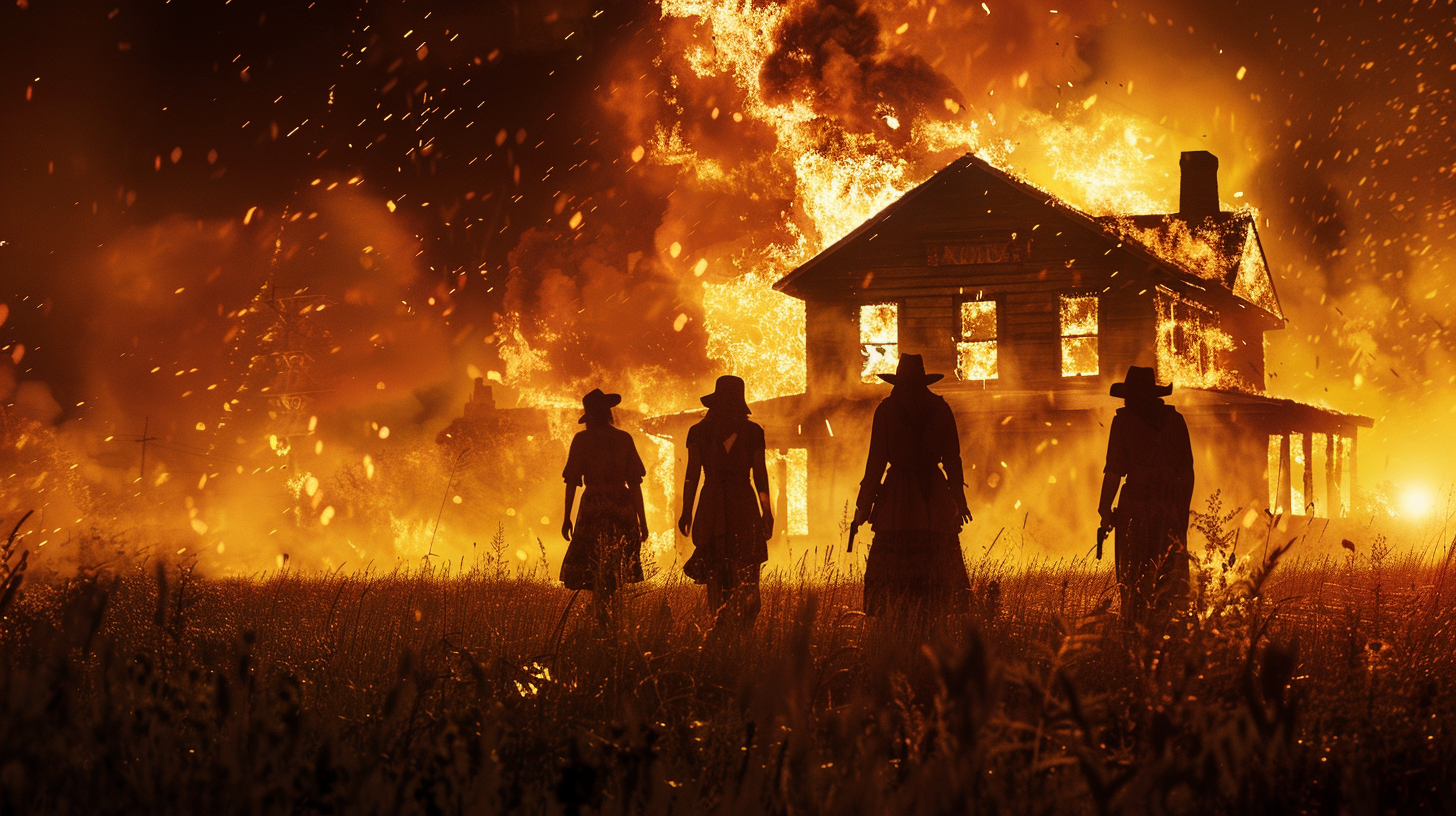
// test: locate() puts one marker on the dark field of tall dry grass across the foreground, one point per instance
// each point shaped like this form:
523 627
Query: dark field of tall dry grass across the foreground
1317 687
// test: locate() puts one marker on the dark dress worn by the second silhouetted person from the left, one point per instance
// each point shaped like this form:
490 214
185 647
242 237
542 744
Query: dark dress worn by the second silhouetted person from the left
729 541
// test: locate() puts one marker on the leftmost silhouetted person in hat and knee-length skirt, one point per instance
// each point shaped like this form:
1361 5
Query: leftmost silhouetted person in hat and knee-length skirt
606 543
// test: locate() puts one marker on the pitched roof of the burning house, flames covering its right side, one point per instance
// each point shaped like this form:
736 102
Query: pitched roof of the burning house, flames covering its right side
1142 237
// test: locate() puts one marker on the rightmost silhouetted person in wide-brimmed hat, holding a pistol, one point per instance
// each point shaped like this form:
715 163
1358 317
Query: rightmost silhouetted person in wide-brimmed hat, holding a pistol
1150 448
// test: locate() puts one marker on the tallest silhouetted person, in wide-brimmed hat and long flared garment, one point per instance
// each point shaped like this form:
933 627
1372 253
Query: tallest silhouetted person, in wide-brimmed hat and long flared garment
919 508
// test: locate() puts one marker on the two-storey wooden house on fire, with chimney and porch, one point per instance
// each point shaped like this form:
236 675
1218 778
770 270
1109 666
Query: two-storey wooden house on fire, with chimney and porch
1033 308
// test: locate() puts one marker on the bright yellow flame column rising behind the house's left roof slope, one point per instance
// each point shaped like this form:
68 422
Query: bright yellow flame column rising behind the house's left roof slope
838 180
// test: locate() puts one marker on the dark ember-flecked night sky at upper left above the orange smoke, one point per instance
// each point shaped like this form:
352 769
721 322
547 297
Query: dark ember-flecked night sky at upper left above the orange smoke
122 116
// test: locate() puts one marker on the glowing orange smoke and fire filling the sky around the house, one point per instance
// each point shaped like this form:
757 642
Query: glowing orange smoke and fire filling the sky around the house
375 203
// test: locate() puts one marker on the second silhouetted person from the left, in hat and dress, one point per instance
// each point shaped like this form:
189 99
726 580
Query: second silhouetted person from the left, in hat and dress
733 521
